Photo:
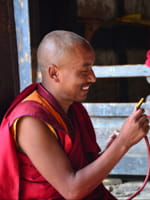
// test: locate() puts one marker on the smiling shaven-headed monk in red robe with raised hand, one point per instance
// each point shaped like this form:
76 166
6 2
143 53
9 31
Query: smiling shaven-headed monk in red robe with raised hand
48 147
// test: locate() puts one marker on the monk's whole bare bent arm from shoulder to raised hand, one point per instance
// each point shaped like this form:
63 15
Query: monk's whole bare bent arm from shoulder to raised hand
42 148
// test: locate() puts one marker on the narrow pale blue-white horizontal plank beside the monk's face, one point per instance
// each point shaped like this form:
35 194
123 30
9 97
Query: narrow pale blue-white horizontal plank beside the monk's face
121 71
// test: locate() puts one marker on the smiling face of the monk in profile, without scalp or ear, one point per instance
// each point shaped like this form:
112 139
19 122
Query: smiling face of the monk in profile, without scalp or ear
76 75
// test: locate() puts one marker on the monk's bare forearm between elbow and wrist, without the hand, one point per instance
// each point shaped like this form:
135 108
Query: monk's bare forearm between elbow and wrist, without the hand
92 175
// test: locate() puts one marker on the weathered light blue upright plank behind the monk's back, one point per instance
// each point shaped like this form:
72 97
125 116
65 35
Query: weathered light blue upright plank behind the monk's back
23 42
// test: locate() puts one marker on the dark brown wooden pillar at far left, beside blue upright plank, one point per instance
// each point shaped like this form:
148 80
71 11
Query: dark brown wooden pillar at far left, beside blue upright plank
9 78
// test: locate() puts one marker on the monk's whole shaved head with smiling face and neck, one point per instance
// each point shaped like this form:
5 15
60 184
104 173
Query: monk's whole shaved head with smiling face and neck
66 61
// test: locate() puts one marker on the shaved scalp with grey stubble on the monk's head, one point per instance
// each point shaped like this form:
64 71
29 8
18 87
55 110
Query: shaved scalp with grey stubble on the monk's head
57 44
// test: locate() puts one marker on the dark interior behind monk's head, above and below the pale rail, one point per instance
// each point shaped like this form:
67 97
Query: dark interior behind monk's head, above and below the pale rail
117 40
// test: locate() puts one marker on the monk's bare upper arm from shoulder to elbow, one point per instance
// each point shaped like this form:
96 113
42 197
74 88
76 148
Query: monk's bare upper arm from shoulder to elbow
41 146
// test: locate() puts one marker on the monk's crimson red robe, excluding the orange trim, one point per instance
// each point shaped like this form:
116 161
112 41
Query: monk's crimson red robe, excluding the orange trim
19 179
